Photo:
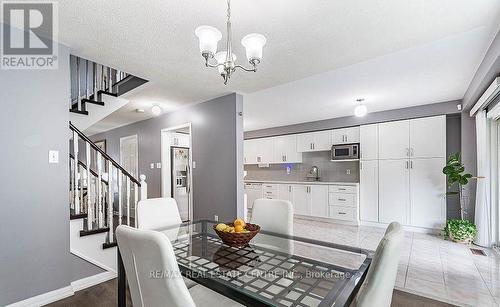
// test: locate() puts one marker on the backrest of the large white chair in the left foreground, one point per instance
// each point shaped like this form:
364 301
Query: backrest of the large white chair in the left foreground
152 272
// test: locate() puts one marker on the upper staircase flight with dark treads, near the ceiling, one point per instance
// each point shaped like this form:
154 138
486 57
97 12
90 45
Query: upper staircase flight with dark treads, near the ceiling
96 91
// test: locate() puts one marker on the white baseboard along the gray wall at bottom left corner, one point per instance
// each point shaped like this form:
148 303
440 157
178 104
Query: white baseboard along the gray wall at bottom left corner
62 293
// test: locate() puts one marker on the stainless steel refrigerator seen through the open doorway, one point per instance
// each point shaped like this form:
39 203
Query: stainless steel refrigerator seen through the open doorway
180 179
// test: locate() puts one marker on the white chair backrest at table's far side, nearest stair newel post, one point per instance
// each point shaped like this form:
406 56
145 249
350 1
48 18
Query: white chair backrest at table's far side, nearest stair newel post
157 213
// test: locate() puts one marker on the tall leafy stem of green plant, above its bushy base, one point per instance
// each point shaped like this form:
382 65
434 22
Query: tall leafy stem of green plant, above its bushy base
457 177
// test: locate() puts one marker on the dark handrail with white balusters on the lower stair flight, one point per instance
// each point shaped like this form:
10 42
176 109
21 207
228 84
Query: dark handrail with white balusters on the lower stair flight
95 178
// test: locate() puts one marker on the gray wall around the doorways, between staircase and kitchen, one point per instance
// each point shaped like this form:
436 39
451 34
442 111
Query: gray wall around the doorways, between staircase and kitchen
217 133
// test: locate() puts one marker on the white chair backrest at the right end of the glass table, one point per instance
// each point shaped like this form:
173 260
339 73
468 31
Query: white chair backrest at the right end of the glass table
379 283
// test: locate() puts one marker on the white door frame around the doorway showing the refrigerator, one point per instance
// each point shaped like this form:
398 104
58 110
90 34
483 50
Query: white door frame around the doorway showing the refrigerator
165 163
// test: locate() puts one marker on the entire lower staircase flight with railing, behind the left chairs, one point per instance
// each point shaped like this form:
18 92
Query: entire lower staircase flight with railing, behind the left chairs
103 195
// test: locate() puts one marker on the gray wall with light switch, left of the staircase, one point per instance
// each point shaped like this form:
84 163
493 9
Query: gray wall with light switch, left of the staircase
34 224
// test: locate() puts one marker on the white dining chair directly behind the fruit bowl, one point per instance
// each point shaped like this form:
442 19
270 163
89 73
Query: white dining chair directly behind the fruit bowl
273 215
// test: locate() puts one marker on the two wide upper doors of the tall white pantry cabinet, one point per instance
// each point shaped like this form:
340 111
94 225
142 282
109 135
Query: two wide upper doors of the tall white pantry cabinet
415 138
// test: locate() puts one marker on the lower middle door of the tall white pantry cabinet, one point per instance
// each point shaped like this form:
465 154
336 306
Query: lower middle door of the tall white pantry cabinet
394 191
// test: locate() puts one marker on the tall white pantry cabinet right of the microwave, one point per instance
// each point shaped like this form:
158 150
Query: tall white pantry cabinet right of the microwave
411 186
